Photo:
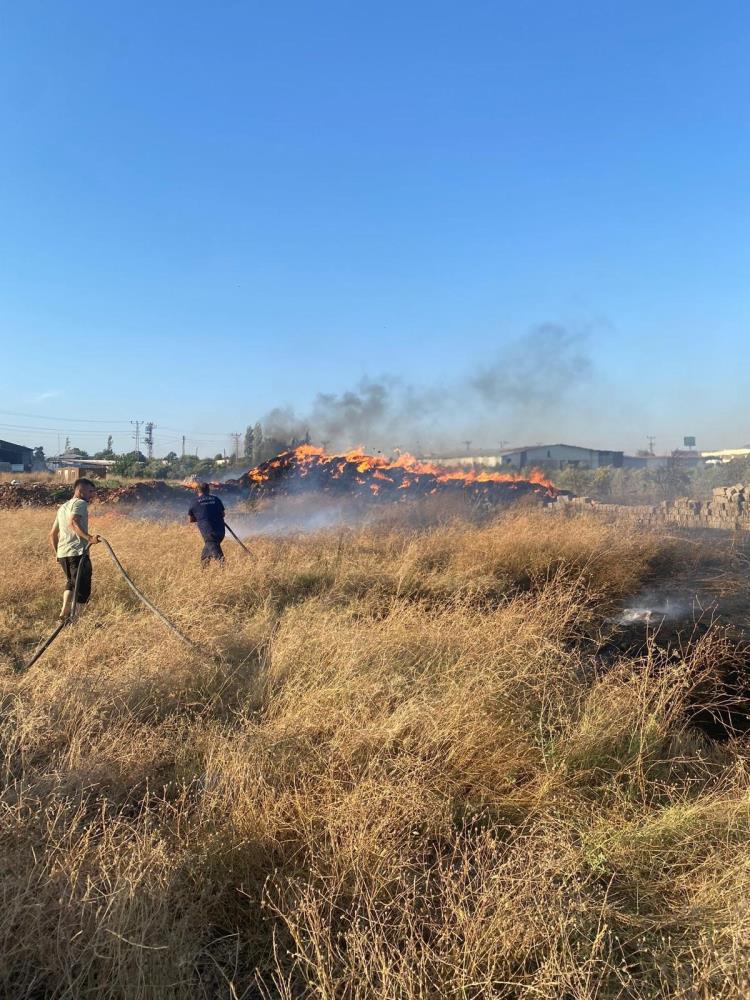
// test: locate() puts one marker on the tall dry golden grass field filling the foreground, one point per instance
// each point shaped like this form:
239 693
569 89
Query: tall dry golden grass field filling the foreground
405 774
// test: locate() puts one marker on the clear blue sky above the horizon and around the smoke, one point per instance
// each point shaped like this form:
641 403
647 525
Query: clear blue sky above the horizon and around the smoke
208 210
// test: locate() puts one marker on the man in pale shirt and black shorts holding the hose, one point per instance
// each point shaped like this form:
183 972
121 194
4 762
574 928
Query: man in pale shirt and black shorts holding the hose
70 539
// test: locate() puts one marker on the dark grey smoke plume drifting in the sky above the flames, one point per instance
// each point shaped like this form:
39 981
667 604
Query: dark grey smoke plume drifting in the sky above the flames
521 390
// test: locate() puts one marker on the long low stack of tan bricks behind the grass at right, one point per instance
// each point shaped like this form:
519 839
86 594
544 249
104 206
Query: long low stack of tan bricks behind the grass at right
728 509
